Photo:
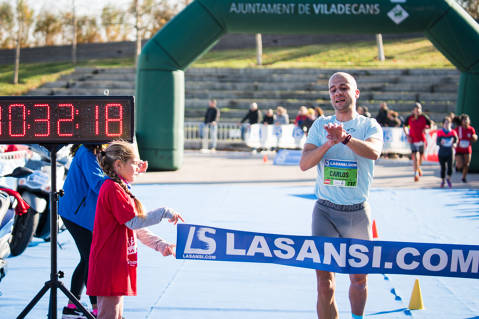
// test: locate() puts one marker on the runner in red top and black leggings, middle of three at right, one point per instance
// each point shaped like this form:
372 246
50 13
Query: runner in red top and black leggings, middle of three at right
446 139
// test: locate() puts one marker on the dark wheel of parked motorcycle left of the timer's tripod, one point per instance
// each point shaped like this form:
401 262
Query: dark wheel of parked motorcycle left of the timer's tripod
22 233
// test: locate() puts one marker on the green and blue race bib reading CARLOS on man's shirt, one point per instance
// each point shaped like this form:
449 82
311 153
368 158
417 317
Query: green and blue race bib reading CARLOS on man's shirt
340 173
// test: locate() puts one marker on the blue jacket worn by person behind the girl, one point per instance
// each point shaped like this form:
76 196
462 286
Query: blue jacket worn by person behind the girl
81 187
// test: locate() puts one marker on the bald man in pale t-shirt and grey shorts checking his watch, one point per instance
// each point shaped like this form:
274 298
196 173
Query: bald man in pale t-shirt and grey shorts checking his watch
343 147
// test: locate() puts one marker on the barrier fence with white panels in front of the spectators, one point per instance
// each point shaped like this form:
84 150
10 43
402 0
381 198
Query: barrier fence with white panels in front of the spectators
291 137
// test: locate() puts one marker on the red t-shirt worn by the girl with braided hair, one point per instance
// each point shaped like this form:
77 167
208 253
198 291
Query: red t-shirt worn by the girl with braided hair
113 255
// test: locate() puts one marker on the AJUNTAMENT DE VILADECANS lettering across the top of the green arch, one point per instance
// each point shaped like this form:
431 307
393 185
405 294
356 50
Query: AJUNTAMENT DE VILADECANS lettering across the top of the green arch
305 8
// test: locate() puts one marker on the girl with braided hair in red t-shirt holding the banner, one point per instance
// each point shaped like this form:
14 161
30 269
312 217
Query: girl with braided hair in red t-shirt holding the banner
119 221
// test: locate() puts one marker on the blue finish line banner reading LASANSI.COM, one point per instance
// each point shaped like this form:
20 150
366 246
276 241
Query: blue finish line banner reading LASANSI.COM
342 255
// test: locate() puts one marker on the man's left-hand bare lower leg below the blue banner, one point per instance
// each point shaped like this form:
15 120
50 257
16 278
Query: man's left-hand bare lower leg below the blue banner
326 305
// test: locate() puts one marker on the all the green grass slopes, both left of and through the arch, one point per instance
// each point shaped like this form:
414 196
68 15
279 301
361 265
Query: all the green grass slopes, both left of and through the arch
400 54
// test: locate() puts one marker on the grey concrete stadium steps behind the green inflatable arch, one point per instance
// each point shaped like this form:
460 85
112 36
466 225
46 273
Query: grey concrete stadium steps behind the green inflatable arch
235 89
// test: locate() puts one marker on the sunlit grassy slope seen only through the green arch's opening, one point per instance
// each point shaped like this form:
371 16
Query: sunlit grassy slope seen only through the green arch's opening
404 54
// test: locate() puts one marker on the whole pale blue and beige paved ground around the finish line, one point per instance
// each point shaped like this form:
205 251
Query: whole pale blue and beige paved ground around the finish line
241 191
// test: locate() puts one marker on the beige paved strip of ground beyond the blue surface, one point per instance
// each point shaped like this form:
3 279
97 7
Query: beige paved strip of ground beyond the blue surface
245 167
